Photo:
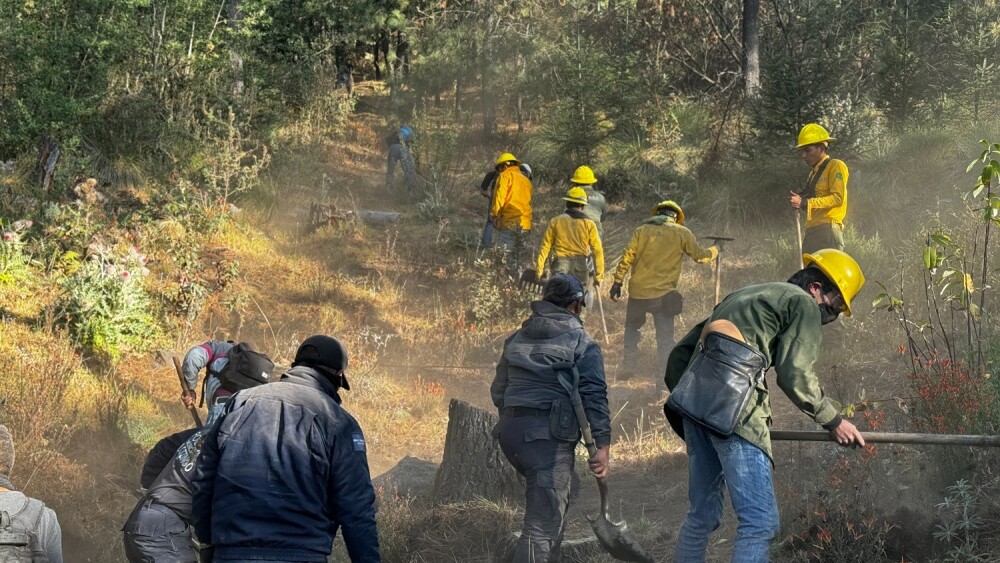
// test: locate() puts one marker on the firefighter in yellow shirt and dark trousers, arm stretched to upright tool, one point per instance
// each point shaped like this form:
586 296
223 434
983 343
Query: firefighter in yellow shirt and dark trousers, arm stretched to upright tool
654 256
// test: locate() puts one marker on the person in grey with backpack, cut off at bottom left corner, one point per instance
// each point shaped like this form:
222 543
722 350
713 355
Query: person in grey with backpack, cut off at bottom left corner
29 531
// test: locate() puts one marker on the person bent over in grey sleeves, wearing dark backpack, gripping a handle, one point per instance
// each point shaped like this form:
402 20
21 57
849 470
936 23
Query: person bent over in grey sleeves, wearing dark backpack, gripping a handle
229 367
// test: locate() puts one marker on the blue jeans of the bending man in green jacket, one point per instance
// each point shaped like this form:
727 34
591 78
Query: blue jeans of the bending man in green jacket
714 465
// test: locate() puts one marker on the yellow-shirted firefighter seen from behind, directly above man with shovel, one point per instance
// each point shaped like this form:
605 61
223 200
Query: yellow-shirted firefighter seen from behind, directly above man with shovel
571 238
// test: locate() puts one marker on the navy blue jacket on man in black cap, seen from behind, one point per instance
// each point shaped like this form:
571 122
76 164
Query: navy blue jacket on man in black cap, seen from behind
280 471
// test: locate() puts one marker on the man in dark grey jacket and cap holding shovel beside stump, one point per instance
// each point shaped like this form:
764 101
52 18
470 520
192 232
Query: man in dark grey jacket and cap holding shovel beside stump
538 429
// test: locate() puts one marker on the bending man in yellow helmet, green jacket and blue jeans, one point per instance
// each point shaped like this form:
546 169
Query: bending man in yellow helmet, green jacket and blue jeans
783 322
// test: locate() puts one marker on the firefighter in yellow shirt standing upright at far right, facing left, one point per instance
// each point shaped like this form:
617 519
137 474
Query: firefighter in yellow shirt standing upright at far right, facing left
824 198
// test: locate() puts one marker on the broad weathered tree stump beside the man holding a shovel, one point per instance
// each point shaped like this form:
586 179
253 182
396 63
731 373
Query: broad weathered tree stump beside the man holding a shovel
473 465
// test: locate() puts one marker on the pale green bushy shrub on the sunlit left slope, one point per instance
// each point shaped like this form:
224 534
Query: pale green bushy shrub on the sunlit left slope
105 306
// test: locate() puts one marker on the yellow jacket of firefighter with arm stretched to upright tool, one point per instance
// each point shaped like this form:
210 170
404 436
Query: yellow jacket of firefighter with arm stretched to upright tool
654 254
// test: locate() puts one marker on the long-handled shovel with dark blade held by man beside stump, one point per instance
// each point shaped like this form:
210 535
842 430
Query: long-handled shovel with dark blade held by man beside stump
612 536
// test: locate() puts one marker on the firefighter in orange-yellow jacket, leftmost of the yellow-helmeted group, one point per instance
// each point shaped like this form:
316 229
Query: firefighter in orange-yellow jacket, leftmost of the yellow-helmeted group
510 210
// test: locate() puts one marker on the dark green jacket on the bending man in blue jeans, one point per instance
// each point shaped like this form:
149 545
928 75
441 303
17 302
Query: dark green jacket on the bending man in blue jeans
781 321
